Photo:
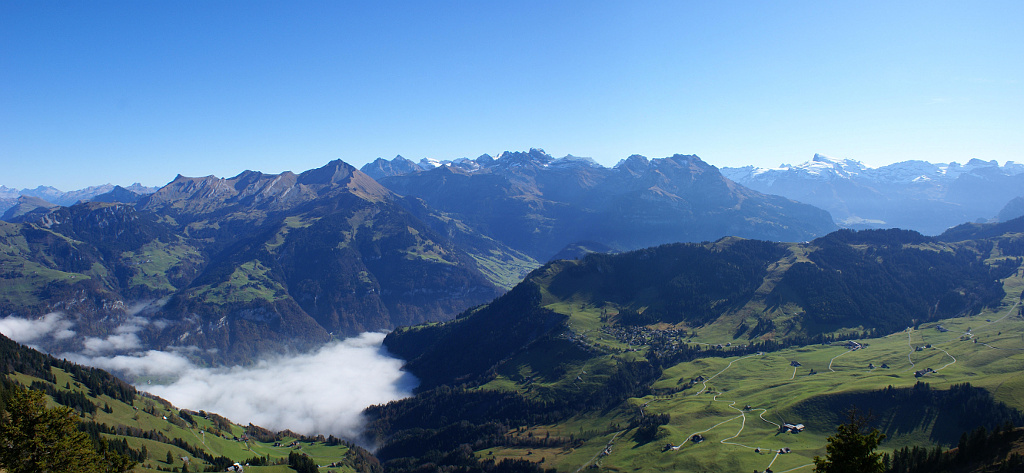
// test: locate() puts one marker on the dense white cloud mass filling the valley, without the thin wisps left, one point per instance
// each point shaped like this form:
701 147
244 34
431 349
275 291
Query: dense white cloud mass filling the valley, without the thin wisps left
323 393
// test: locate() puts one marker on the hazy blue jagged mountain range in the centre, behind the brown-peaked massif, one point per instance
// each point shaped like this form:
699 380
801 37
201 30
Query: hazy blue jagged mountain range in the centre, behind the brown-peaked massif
539 204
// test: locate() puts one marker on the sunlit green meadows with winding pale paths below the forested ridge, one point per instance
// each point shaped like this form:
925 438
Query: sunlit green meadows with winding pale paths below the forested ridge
738 404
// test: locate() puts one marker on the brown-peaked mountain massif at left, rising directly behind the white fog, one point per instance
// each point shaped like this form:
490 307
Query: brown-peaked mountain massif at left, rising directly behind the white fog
252 264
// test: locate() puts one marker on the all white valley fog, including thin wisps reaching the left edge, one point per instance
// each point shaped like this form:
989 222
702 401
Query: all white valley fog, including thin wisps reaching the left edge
321 393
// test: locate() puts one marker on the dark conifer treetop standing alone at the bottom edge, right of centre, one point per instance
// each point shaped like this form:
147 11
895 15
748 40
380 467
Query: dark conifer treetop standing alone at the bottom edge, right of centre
852 449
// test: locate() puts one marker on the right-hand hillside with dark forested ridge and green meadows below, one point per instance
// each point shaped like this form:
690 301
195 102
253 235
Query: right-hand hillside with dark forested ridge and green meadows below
618 362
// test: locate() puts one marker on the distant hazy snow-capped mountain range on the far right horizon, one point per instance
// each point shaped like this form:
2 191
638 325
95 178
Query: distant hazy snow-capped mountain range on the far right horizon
913 195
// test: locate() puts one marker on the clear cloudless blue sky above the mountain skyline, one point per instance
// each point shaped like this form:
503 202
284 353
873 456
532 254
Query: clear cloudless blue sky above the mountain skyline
95 93
